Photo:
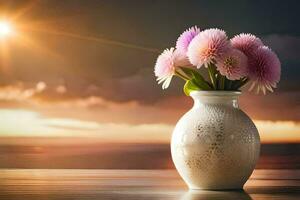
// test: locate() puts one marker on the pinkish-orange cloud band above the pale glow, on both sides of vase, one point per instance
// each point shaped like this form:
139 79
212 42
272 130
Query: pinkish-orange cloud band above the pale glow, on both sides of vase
44 98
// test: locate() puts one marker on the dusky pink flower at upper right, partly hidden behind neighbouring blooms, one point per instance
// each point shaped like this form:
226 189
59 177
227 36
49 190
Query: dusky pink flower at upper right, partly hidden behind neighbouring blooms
247 43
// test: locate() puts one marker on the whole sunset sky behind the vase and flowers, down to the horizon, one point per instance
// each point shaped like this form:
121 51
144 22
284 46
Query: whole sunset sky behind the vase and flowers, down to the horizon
85 68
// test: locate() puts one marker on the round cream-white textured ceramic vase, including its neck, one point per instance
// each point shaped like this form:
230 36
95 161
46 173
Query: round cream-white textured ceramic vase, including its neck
215 145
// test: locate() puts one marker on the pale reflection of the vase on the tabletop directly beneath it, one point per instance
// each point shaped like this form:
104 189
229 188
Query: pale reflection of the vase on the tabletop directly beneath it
207 195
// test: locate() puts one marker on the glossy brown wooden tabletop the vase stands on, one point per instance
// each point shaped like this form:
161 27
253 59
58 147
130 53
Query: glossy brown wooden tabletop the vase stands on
40 184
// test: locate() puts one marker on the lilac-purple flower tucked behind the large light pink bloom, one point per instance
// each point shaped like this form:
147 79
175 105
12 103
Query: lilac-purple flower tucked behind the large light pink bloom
185 39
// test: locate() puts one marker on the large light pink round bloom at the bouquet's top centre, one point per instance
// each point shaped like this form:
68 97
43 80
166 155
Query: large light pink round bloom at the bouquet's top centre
207 46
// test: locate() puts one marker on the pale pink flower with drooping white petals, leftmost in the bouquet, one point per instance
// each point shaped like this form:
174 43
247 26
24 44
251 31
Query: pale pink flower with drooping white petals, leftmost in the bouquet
166 65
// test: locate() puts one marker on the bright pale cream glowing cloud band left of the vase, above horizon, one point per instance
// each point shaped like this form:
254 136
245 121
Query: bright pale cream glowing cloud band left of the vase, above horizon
33 124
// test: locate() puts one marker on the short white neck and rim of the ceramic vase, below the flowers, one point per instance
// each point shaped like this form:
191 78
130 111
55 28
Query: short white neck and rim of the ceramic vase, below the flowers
224 98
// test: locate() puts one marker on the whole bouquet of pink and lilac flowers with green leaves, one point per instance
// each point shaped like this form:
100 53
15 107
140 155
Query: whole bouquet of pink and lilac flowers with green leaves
230 63
